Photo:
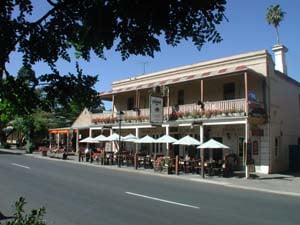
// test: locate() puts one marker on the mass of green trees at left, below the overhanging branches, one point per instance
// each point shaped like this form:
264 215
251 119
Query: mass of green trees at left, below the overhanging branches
32 109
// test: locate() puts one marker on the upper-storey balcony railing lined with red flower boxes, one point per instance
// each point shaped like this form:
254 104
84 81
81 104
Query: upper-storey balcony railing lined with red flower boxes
230 108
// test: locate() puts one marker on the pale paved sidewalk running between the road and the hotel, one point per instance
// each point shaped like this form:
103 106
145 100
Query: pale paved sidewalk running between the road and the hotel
283 184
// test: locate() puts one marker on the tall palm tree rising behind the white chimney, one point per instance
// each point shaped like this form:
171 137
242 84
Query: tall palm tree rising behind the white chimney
274 17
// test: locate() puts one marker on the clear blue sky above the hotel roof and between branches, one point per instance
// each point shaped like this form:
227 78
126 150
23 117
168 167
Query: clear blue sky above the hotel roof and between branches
247 30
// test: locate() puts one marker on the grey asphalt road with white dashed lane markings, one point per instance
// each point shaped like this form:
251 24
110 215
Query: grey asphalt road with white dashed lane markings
79 194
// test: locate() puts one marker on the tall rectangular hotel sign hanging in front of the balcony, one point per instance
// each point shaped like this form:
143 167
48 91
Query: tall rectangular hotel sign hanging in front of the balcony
156 110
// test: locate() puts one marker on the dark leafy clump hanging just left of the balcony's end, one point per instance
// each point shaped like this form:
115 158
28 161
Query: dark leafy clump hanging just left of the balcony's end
68 95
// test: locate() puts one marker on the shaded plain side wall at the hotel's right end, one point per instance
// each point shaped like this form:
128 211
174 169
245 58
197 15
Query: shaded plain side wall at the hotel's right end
284 118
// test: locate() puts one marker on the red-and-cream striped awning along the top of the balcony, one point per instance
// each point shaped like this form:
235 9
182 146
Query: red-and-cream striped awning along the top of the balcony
176 80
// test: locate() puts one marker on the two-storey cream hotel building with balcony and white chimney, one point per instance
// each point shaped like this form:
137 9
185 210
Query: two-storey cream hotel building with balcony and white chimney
245 101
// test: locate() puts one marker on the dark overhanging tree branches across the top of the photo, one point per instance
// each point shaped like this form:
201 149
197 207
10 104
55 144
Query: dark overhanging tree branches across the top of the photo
132 27
